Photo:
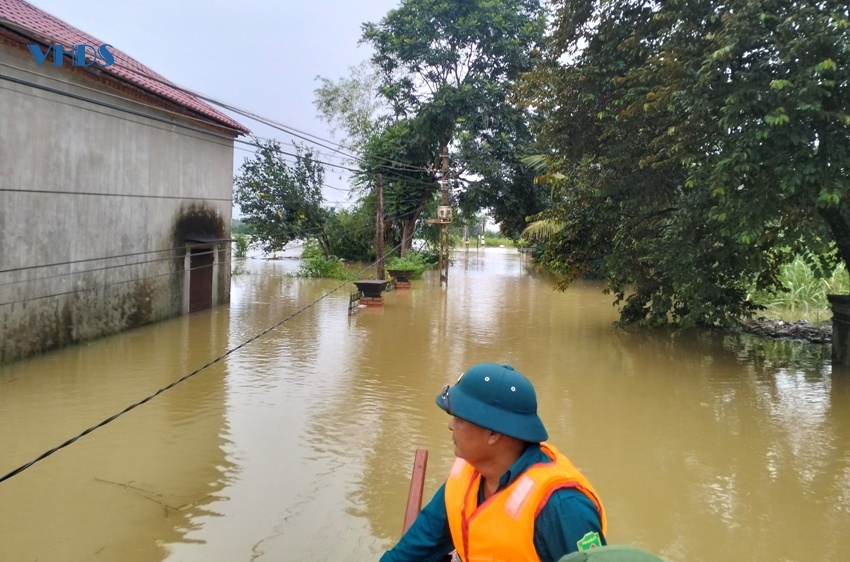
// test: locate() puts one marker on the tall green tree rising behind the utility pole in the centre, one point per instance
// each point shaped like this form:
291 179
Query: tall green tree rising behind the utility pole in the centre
447 70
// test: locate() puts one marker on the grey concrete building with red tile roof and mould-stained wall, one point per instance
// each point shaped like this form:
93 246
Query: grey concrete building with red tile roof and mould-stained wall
115 189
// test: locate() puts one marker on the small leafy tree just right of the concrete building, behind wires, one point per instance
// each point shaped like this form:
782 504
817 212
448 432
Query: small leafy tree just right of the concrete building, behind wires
282 202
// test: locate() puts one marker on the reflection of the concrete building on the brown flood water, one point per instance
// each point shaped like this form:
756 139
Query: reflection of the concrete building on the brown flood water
124 491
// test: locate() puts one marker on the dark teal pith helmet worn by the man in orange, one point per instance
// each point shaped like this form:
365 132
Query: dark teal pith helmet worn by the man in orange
498 398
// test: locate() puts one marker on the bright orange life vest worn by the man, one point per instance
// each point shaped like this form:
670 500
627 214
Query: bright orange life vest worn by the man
502 528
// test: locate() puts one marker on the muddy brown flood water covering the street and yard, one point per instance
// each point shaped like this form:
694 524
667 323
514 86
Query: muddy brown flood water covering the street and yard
297 441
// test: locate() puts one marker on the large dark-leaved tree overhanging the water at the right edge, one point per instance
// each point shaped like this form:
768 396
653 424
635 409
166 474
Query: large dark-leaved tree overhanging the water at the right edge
694 147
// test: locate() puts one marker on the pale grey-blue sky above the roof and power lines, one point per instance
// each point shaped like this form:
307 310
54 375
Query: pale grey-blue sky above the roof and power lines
262 56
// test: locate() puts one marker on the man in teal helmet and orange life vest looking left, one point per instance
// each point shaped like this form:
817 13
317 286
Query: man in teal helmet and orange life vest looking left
509 496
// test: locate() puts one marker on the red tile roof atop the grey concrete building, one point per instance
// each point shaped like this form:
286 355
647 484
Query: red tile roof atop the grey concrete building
46 29
